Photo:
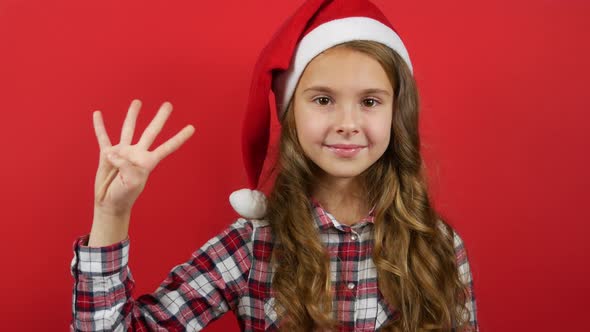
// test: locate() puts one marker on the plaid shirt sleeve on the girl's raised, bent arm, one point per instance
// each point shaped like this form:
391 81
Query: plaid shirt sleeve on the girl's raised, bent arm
193 294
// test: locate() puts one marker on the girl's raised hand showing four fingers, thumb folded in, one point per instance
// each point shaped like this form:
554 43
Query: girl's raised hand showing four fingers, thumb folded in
119 181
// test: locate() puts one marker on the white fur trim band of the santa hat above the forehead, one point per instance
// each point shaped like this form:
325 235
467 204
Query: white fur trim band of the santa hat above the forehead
325 36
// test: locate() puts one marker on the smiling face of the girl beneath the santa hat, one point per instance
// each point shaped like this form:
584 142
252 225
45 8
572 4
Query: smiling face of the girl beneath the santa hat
343 111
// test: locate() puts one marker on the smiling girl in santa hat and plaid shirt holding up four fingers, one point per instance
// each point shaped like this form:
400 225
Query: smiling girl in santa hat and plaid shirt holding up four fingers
348 239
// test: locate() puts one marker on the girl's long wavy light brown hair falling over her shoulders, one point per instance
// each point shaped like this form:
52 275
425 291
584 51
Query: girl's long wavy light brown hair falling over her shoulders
413 247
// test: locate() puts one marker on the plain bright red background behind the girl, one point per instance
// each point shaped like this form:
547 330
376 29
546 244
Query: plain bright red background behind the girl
504 124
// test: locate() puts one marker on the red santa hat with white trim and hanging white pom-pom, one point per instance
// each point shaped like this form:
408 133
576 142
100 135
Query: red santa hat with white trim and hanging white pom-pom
315 27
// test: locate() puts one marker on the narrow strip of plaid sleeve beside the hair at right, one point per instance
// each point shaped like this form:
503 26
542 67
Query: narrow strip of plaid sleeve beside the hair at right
467 278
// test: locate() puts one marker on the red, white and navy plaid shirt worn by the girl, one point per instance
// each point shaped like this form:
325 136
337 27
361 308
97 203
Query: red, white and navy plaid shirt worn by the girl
232 271
